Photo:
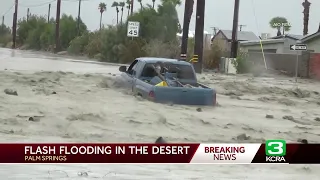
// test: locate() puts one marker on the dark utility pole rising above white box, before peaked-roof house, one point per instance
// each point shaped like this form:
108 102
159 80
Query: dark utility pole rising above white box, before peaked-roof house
234 41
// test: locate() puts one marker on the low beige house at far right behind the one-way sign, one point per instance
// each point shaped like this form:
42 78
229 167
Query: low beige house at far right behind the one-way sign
281 44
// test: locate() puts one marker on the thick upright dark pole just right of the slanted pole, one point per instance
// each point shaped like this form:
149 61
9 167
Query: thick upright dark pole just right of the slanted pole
198 45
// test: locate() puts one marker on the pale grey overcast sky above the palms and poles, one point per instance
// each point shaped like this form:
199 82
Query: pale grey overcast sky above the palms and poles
255 14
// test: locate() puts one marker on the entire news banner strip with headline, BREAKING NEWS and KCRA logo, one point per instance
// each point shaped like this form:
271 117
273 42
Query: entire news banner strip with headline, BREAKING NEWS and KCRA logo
272 151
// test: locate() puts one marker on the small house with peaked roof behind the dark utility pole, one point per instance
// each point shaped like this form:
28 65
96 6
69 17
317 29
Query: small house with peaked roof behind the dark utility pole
224 37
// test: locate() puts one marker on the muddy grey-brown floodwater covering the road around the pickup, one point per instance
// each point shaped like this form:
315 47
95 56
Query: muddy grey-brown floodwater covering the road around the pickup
78 102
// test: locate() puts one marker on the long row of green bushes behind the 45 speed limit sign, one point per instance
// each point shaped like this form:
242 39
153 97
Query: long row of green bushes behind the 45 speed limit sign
158 28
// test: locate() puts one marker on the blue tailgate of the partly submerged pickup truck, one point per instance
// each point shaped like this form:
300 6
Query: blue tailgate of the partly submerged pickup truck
186 96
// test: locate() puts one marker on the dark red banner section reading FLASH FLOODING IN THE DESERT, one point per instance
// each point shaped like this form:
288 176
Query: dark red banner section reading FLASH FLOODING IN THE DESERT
97 153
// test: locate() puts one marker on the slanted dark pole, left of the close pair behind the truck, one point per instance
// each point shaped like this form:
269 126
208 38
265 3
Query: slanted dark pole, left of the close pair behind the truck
188 9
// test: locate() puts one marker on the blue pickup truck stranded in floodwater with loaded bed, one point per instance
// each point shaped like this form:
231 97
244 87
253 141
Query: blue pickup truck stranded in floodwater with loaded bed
142 78
